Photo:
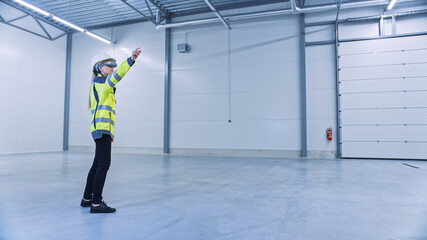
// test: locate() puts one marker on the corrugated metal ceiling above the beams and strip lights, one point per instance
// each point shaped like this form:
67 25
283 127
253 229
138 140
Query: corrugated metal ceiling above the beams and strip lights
90 14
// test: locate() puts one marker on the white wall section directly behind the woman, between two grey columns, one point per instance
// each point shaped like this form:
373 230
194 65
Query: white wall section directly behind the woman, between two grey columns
139 95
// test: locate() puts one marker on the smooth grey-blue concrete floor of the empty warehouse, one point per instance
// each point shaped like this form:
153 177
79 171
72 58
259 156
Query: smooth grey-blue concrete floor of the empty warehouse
176 197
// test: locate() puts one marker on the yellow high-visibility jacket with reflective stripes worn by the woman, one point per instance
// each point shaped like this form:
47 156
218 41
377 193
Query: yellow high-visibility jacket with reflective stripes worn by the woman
103 100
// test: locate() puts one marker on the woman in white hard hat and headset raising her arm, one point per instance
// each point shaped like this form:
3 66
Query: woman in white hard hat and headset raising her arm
103 109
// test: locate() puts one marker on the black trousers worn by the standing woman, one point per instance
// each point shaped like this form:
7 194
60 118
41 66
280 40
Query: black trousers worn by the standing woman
98 171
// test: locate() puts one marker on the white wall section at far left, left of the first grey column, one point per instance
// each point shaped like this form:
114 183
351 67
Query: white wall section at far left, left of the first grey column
33 88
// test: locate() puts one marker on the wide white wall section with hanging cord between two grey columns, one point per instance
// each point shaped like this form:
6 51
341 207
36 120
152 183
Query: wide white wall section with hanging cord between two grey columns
262 78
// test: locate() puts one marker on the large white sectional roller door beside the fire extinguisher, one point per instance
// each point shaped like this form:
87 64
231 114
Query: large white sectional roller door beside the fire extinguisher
383 98
